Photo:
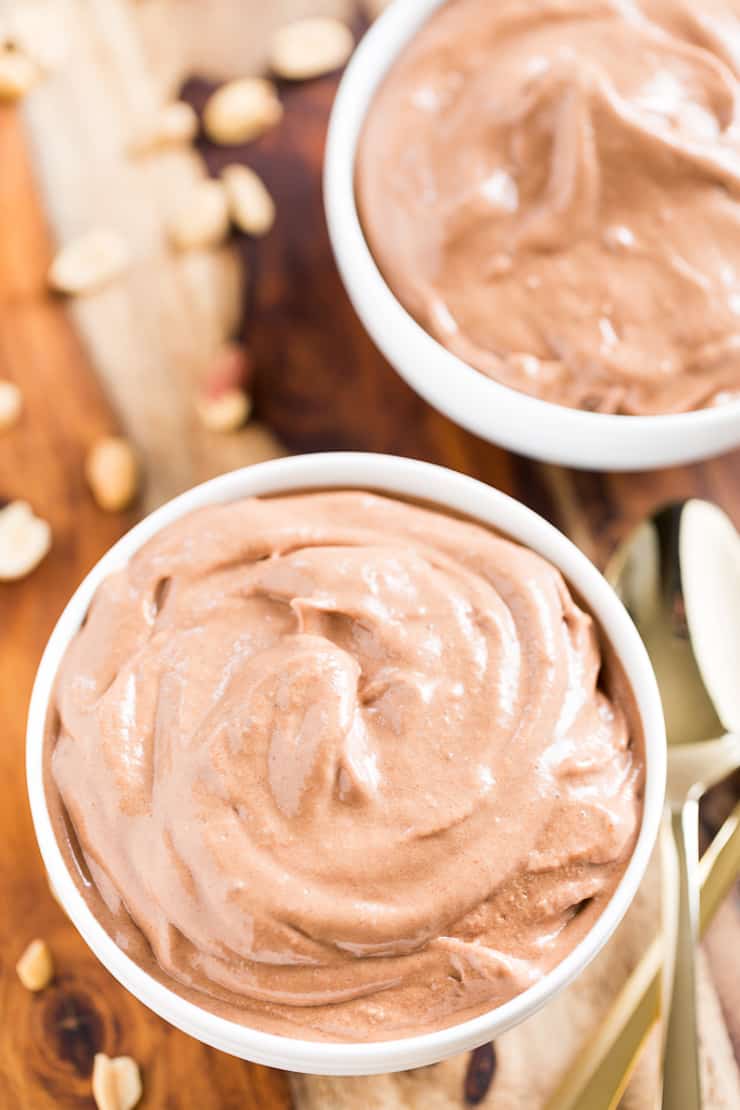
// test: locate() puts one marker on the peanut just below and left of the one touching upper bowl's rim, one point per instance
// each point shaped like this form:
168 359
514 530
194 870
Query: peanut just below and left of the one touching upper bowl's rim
241 110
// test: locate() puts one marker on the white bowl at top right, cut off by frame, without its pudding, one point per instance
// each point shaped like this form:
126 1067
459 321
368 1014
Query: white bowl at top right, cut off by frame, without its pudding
498 413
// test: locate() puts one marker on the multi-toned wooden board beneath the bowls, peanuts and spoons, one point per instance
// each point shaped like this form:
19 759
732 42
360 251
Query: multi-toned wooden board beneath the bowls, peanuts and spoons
131 357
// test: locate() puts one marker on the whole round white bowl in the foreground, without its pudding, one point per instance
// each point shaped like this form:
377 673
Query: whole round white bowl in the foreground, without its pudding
451 491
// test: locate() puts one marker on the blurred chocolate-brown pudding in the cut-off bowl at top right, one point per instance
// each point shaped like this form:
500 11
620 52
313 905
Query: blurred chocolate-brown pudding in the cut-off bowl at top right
551 188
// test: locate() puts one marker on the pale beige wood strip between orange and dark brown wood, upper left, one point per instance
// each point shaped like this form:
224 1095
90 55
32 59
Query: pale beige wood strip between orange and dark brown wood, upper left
151 335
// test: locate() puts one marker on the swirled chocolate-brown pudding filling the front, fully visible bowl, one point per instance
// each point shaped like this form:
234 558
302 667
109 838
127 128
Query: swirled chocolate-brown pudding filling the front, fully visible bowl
342 766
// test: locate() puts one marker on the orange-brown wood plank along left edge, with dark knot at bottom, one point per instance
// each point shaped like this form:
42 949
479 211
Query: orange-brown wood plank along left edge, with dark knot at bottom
48 1042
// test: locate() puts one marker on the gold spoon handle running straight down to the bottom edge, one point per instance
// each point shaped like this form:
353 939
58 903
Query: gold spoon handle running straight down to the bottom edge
682 1084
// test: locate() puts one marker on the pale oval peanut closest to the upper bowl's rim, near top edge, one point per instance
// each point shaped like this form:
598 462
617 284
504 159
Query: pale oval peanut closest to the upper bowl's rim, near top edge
310 48
